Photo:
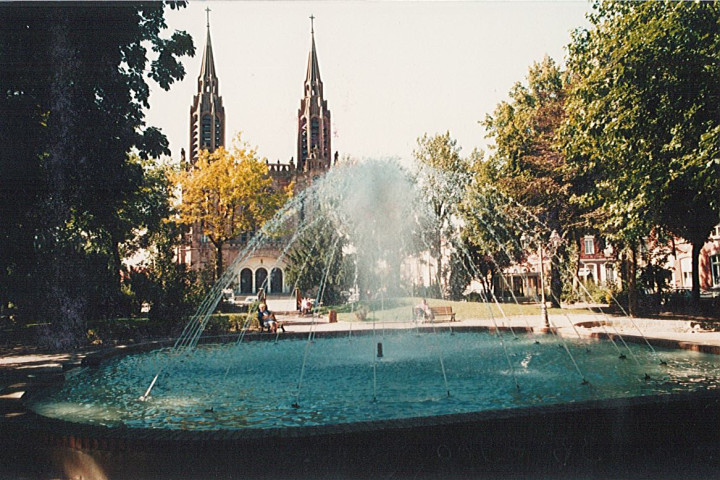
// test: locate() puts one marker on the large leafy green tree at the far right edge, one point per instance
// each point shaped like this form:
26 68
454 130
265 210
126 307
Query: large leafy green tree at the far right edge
643 124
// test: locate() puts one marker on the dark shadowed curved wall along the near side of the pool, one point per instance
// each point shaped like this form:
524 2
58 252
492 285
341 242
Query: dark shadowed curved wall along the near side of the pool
592 435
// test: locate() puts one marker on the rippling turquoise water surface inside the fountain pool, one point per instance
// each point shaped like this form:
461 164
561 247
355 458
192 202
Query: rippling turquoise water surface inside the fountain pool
255 384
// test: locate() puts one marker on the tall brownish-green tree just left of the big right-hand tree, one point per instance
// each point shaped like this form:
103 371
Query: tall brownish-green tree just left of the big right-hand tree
531 168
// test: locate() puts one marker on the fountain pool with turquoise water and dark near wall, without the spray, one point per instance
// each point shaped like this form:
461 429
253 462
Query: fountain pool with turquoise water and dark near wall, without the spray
226 411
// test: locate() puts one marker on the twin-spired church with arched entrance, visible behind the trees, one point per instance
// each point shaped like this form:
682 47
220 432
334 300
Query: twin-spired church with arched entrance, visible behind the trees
264 268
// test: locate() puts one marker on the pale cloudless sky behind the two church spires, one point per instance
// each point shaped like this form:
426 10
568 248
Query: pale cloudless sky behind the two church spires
392 71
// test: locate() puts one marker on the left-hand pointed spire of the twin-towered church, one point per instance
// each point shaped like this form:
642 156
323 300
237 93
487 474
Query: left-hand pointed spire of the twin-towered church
207 115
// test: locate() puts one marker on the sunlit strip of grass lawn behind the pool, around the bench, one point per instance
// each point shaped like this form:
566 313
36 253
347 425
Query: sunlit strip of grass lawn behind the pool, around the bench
400 309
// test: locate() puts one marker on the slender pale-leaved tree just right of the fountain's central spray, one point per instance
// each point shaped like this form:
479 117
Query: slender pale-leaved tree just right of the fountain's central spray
442 177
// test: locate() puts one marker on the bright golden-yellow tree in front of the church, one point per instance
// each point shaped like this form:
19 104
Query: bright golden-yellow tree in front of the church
227 193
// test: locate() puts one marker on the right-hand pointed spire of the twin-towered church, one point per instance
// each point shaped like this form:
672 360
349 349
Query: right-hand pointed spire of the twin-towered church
313 149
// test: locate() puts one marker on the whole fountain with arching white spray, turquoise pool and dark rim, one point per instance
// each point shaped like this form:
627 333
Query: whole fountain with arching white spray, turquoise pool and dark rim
400 400
